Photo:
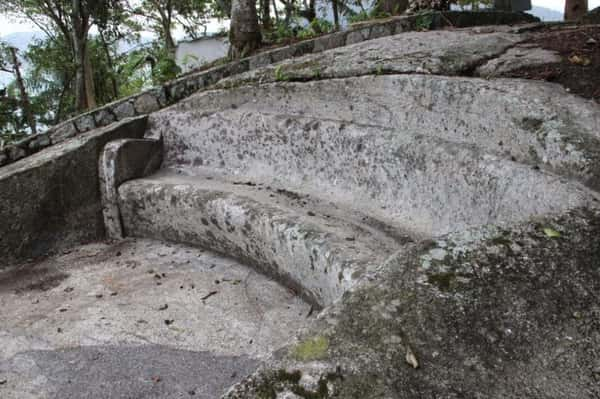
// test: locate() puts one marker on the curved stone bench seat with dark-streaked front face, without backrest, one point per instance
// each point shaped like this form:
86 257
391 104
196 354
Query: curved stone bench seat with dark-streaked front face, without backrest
315 247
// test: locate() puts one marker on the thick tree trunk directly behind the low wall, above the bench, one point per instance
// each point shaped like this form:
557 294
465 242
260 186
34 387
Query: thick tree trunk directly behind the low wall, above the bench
244 33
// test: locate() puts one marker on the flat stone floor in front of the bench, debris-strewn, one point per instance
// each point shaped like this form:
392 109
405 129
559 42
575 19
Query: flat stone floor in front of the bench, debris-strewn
137 319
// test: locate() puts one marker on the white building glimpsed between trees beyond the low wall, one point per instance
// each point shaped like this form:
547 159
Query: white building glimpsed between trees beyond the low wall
191 54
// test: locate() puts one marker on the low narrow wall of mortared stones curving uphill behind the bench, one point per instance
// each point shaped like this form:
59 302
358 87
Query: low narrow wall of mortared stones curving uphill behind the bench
170 93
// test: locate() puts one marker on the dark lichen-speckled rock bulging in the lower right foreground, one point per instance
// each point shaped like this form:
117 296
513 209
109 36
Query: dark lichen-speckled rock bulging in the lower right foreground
494 313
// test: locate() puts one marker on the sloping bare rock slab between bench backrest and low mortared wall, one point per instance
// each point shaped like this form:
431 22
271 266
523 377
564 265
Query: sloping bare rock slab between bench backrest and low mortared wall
435 52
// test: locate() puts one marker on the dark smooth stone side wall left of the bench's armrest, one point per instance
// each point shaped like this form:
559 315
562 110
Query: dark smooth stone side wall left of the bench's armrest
52 200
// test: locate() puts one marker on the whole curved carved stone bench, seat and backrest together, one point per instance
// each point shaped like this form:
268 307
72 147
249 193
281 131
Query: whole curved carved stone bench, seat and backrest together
320 202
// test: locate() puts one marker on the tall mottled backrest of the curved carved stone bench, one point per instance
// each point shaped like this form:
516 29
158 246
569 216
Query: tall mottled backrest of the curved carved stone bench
370 153
